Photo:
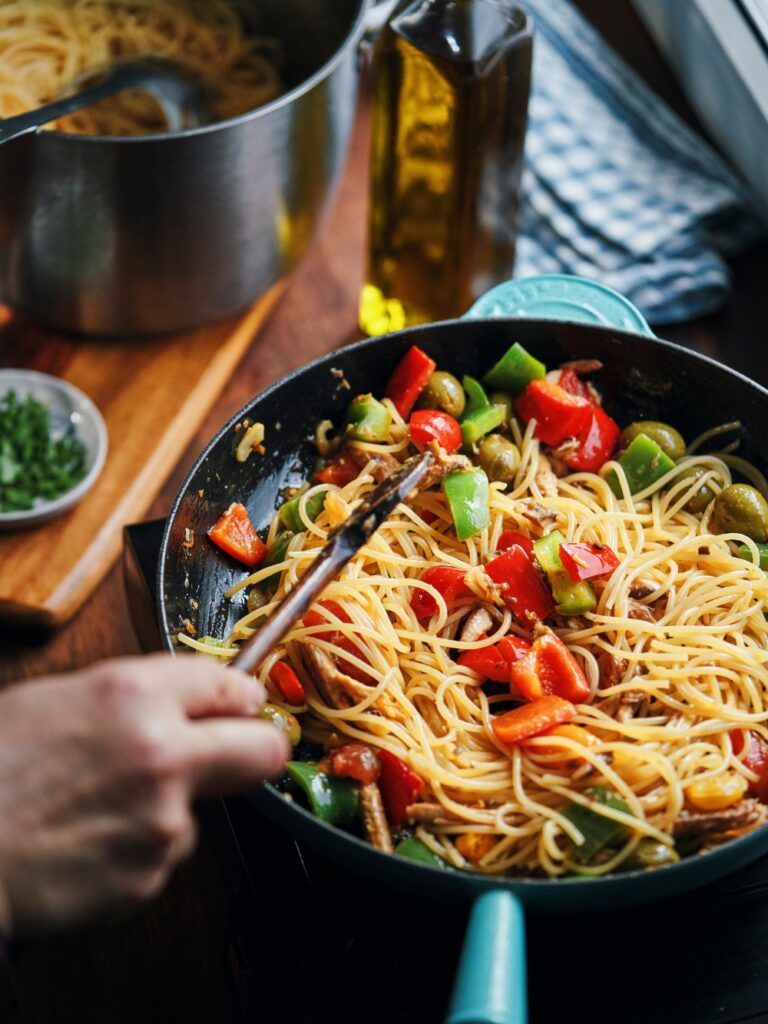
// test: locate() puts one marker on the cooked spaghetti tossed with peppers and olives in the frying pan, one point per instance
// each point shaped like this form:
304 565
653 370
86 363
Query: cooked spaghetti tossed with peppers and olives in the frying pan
675 653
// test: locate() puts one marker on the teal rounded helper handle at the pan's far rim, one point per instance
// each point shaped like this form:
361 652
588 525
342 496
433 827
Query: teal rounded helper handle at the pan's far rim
562 297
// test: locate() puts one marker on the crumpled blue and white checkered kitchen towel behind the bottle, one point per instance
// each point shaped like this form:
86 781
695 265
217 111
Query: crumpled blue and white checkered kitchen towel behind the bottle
616 187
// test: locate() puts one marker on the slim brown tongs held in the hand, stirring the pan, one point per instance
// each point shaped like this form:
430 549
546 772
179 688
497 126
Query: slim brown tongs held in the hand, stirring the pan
343 545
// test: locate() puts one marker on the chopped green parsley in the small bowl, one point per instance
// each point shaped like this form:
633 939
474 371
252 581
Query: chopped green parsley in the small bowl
33 465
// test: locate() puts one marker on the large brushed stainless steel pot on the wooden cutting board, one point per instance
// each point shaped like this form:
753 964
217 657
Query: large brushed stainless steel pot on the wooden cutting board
120 236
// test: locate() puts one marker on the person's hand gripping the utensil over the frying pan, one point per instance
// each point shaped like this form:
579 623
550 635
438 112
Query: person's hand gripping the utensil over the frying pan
98 774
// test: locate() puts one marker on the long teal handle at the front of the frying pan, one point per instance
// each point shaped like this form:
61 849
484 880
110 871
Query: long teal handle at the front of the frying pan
491 986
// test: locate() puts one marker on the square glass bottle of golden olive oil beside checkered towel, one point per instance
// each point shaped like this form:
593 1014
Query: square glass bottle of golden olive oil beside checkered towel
451 83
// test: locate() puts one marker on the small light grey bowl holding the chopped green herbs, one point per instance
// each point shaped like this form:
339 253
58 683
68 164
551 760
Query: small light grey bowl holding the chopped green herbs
68 407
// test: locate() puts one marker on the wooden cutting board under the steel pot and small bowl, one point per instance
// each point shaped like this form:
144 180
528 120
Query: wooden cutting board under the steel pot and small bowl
154 394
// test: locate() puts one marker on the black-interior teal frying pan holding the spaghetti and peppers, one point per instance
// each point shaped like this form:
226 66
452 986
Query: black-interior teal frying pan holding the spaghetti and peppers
643 379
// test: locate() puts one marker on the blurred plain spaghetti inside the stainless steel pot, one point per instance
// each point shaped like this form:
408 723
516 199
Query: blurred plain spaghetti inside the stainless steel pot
48 48
